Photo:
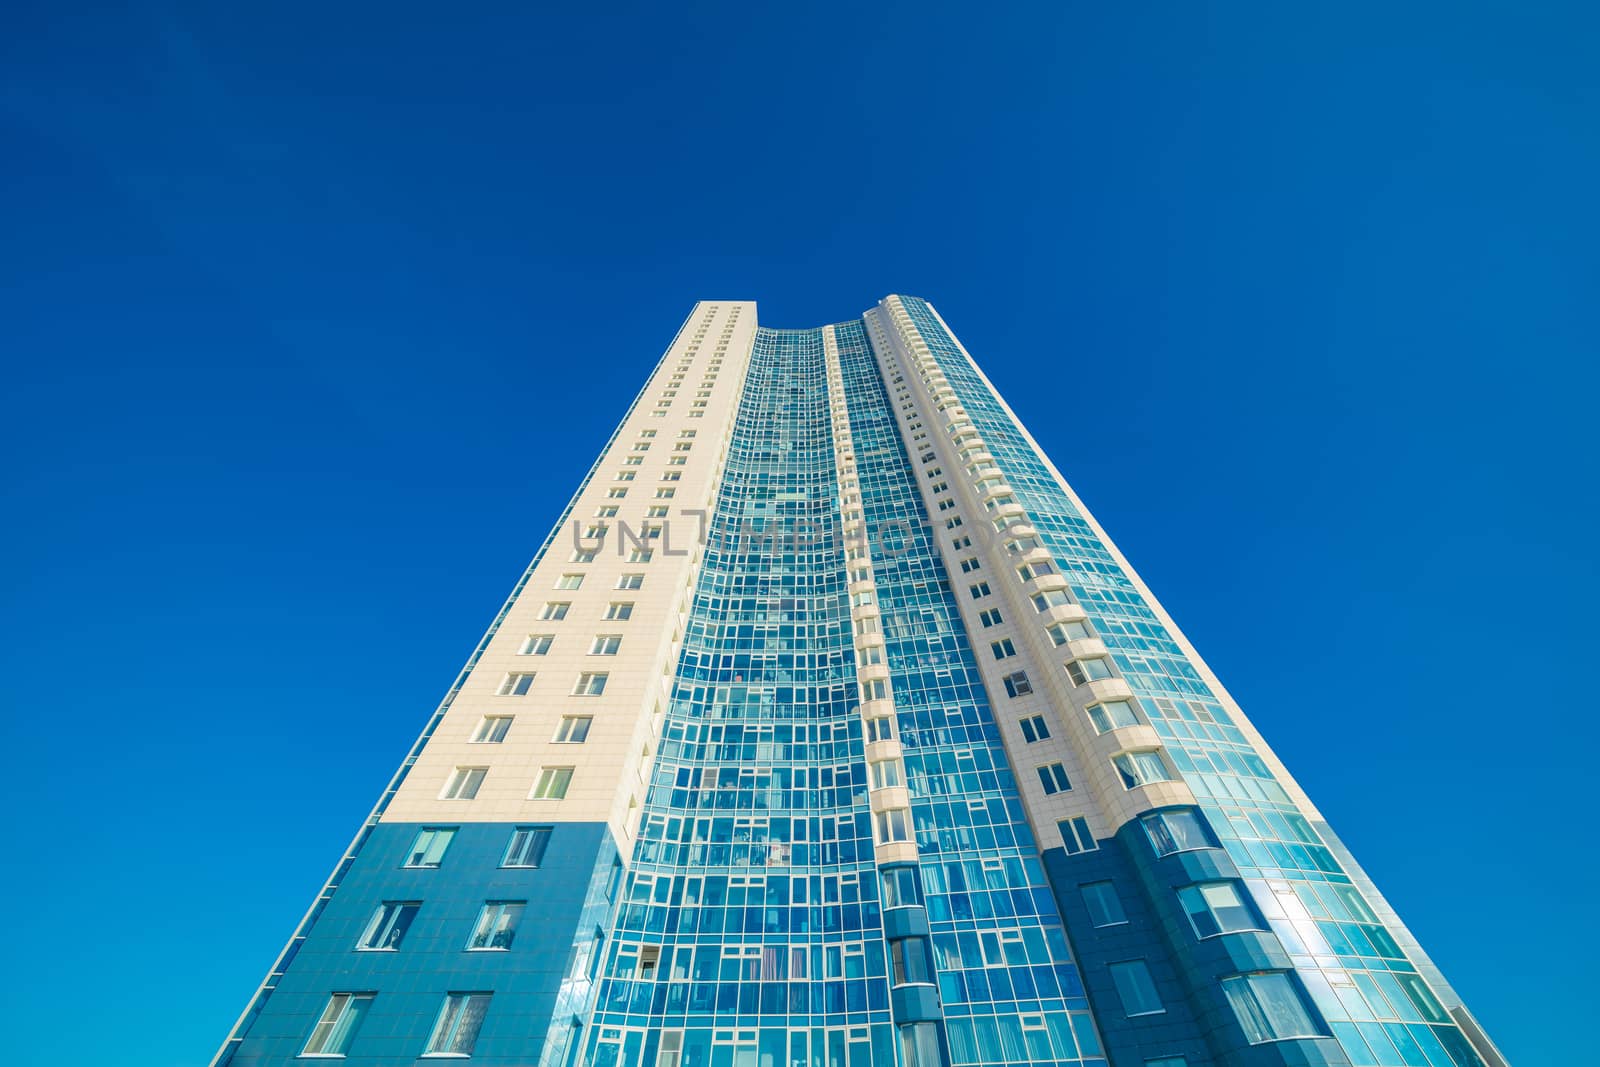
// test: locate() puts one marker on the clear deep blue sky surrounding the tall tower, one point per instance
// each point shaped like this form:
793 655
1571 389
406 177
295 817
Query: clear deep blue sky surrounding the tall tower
1302 302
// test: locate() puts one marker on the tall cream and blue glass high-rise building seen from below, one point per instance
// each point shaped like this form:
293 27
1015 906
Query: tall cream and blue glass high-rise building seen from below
830 730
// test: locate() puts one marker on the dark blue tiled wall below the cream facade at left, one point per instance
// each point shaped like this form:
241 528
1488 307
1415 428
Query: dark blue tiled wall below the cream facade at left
431 962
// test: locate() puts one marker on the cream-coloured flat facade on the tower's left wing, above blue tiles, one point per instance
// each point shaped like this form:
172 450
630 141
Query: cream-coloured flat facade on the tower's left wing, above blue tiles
673 441
